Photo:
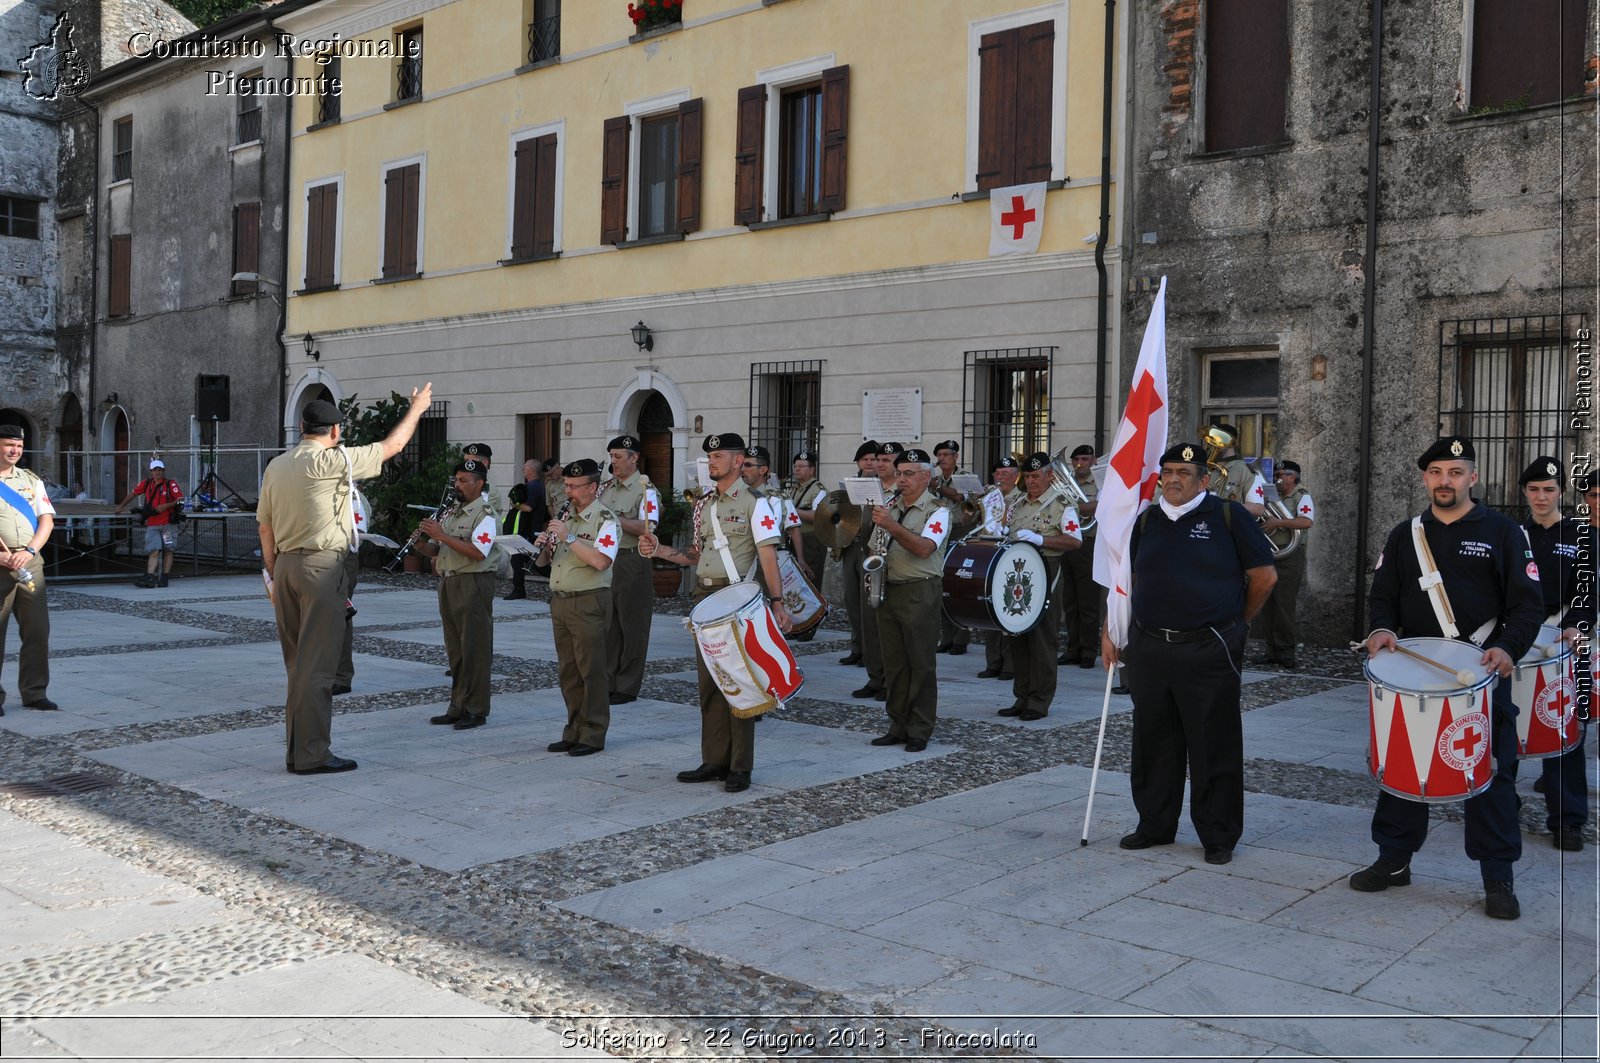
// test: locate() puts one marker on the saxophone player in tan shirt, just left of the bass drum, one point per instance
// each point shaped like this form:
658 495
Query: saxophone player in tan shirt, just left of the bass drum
918 524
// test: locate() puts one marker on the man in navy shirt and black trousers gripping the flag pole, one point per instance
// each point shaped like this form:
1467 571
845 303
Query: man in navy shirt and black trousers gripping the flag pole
1201 572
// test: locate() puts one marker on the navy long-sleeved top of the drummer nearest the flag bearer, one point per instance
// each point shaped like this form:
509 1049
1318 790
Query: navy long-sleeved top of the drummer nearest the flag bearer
1489 576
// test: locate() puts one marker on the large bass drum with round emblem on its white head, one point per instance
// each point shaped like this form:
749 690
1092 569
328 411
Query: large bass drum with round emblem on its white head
996 587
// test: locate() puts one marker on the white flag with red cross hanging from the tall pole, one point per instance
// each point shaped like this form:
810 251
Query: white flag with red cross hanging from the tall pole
1134 471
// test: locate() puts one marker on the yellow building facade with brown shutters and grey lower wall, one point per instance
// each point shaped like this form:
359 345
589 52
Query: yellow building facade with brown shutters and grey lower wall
793 198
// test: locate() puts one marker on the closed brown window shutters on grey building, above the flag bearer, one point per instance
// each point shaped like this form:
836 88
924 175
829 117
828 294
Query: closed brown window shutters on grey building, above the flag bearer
1247 71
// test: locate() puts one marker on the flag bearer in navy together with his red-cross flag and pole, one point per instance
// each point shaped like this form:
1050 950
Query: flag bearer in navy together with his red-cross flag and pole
1180 608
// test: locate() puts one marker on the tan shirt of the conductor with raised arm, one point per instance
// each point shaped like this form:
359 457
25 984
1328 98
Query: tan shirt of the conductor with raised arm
306 494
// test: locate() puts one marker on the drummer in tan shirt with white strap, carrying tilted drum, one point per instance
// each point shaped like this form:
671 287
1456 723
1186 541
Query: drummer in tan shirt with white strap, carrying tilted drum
732 529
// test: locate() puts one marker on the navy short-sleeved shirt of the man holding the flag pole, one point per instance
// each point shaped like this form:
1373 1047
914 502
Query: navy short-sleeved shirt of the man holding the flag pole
1191 572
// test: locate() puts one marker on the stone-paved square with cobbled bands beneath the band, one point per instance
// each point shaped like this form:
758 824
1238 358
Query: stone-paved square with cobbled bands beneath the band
470 896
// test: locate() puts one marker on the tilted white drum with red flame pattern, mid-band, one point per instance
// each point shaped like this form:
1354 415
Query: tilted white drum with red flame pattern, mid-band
745 651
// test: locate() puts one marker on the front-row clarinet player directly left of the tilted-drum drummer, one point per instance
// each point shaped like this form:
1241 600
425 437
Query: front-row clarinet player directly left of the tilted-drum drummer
582 552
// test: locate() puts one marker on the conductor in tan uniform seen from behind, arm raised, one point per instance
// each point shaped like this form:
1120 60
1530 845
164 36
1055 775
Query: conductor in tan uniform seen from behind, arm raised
306 524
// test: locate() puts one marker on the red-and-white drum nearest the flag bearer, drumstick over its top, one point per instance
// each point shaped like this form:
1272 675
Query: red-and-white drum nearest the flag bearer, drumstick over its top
1430 736
